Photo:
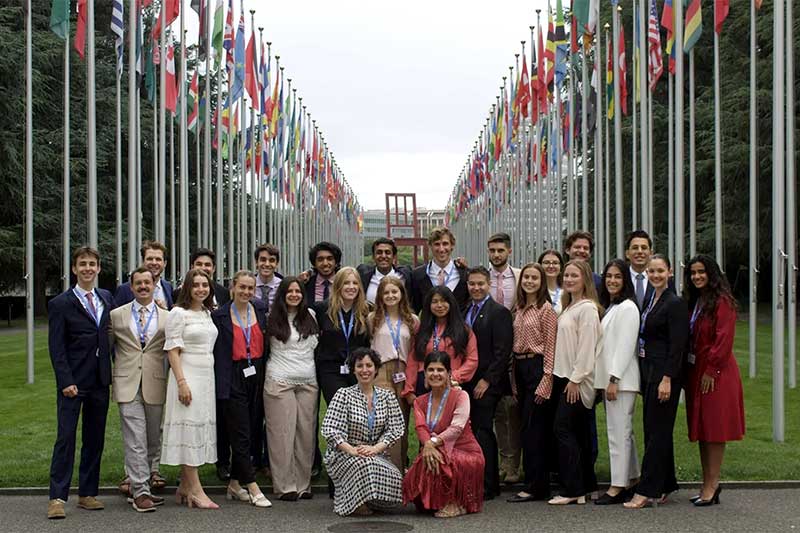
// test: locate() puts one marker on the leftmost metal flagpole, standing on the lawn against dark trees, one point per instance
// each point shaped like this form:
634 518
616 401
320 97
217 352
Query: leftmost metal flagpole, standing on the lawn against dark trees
29 296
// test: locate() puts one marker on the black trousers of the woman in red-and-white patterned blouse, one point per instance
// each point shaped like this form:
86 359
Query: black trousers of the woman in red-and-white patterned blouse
537 426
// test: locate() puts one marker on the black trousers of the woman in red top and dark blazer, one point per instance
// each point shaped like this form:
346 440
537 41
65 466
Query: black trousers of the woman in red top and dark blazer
242 416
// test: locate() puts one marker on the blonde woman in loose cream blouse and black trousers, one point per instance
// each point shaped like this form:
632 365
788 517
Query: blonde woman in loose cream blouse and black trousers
578 344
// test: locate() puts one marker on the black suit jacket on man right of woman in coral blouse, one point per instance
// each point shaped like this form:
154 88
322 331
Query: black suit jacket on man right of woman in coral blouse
494 331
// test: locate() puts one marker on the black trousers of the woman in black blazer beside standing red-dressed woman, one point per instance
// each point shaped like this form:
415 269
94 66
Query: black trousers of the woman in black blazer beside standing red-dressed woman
658 463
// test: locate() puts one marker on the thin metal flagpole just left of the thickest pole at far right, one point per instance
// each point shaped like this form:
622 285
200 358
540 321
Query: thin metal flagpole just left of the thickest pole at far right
753 198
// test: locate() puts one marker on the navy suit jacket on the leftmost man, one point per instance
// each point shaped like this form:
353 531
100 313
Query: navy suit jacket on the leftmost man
79 348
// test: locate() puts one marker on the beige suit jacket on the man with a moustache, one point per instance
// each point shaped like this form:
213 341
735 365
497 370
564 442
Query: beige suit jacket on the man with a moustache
134 365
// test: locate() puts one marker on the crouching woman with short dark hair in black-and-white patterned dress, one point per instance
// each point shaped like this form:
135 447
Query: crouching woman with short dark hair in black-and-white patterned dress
361 423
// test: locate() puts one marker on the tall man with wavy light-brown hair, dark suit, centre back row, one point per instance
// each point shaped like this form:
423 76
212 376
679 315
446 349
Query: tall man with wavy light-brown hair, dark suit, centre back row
441 271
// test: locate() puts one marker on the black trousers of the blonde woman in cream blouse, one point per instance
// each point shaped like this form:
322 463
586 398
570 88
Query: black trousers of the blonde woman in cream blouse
573 431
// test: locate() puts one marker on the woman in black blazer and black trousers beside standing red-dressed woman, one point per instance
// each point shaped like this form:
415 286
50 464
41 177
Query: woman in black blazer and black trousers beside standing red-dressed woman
663 337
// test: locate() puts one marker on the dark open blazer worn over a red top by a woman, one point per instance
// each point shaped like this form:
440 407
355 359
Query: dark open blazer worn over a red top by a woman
223 347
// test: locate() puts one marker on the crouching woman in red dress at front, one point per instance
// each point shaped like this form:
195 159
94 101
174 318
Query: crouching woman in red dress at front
447 475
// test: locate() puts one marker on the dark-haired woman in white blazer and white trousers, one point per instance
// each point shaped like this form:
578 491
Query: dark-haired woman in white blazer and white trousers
617 374
